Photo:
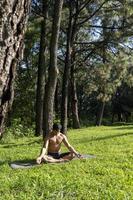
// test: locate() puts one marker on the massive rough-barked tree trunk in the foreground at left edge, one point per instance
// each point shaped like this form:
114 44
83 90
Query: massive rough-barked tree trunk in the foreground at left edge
13 19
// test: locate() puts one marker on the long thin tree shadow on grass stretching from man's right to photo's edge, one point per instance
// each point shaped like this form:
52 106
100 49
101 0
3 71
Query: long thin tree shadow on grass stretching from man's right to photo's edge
85 140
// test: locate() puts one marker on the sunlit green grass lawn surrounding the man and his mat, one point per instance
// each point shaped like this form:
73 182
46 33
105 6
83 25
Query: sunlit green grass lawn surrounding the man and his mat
109 176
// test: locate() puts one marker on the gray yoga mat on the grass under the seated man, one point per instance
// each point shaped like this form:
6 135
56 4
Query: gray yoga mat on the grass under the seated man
32 163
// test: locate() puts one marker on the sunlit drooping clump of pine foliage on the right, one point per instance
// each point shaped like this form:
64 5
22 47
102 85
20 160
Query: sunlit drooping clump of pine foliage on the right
105 78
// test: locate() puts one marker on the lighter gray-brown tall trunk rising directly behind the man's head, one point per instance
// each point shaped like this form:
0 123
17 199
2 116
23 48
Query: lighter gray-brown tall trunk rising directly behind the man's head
53 70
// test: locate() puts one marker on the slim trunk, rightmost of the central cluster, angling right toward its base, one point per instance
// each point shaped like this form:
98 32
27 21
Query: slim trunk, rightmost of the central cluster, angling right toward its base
74 100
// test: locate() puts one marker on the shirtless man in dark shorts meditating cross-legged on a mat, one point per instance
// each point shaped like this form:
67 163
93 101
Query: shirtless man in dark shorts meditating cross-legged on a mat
51 148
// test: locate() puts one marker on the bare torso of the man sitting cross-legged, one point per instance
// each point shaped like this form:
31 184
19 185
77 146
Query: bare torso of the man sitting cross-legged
55 142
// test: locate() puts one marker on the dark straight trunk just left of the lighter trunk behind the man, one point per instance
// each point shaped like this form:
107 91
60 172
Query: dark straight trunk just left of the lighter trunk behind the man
41 71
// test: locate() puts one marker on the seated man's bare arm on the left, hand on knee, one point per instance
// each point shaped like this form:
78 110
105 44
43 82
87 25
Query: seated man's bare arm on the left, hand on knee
43 151
